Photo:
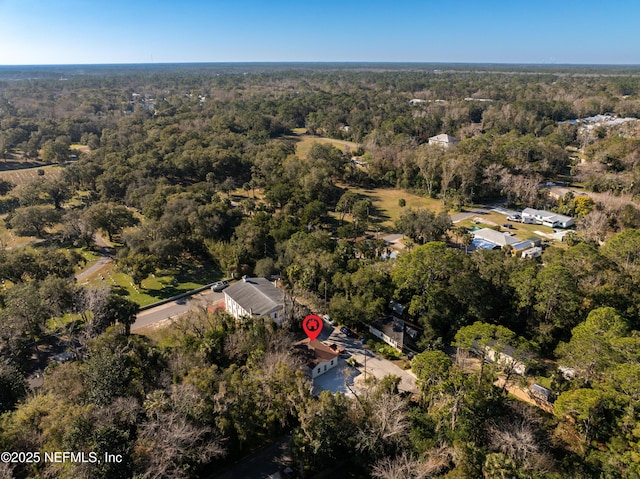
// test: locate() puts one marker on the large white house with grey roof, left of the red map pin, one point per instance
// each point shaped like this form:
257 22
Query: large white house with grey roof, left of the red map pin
254 297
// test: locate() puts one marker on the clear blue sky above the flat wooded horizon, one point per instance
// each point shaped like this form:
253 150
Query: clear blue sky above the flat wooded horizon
458 31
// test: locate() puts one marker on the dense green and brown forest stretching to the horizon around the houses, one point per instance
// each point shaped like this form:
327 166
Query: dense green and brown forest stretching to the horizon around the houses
206 172
